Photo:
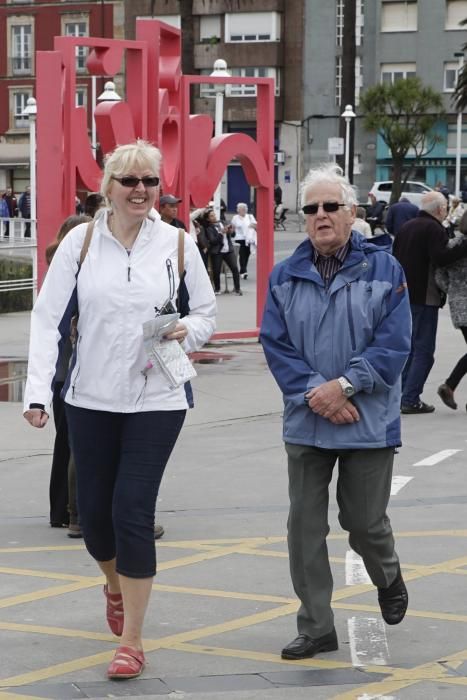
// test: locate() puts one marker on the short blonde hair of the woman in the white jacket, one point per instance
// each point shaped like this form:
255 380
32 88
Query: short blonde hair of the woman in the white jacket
121 161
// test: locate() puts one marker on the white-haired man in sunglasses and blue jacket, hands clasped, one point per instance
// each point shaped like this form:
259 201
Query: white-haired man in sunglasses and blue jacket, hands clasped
336 334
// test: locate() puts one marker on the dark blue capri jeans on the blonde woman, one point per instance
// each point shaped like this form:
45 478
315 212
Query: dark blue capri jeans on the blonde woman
120 459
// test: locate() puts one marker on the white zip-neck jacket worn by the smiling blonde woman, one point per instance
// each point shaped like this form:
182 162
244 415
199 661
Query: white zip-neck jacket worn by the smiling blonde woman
115 292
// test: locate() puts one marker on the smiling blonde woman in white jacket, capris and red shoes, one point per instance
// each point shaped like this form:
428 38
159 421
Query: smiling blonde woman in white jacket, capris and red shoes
123 417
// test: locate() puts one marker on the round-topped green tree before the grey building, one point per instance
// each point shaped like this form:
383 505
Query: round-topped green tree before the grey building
403 113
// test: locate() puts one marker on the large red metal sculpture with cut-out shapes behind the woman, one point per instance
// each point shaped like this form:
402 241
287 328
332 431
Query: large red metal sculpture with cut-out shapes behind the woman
157 109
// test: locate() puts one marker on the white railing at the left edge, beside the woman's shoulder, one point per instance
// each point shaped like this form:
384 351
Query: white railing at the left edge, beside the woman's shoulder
19 235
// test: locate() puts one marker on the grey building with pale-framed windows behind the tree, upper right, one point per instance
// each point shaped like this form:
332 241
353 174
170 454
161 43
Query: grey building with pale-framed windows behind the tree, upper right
394 39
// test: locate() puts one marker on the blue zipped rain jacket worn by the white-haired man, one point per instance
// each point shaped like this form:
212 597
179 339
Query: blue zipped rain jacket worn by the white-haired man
359 327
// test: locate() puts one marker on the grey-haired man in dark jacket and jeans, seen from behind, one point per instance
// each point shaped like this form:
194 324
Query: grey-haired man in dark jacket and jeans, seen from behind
421 247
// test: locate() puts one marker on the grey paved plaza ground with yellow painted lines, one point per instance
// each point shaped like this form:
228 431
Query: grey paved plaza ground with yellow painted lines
223 605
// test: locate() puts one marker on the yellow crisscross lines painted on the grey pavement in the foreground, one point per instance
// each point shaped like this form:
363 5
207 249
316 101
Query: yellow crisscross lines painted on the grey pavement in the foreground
208 550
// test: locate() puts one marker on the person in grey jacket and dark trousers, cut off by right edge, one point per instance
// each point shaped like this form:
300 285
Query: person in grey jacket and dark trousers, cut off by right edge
452 279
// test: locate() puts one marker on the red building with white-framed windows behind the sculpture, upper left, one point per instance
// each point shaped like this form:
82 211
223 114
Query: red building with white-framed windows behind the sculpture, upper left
27 27
